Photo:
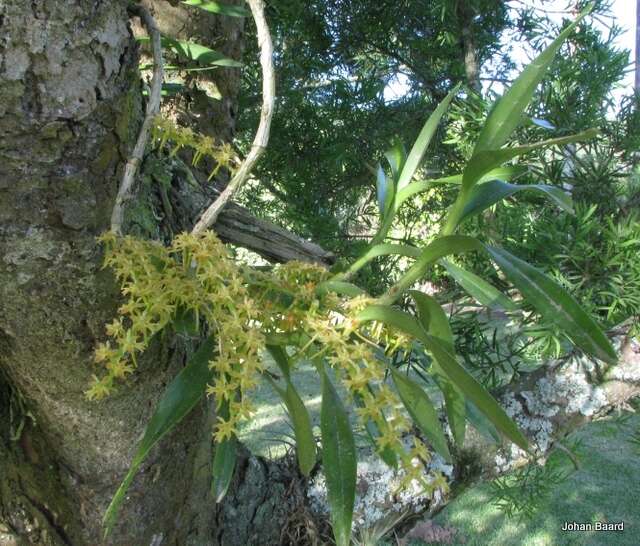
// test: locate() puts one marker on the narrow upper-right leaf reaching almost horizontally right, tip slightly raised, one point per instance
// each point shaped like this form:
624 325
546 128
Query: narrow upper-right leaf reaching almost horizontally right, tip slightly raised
484 161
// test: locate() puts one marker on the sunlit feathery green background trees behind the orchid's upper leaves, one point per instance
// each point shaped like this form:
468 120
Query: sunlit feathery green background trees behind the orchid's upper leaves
339 65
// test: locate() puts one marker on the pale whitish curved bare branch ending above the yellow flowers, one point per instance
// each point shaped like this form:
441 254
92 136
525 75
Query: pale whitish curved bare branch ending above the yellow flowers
262 135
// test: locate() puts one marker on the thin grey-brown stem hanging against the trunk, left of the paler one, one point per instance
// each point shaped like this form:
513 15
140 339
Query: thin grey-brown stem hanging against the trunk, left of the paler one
125 192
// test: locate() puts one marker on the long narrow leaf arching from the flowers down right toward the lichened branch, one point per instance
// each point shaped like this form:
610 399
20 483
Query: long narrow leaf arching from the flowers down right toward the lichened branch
456 373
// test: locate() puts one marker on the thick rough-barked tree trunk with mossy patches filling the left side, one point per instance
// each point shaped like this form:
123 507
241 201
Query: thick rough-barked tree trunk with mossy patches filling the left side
69 111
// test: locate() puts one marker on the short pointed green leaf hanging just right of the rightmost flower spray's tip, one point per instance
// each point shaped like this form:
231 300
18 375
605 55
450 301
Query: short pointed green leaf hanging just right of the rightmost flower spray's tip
424 415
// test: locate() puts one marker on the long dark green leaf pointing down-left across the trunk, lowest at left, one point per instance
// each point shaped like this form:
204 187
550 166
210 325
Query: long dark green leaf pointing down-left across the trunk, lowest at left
180 397
